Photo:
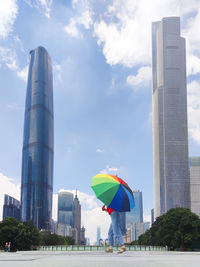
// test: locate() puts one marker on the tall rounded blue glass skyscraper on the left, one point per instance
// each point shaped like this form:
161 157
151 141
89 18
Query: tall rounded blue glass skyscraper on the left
37 158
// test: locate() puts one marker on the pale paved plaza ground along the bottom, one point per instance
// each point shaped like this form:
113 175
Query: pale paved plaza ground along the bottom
100 259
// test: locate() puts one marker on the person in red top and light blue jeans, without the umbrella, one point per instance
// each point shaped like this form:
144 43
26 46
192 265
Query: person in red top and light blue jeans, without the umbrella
114 230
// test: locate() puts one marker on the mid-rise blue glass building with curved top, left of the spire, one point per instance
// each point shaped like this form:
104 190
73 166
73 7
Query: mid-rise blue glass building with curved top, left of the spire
65 208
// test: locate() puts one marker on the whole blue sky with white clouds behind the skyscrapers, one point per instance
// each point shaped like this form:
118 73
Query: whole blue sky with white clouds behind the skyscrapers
101 54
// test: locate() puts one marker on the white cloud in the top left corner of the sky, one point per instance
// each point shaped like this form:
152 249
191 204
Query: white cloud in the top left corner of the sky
8 14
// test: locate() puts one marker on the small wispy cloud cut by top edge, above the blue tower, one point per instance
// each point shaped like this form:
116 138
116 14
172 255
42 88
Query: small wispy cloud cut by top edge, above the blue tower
44 6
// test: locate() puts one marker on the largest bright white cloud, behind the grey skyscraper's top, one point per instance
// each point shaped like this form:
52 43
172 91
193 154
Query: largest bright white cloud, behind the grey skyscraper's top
124 30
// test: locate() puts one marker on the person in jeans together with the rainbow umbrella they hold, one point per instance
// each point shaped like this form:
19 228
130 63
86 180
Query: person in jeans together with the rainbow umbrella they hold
117 197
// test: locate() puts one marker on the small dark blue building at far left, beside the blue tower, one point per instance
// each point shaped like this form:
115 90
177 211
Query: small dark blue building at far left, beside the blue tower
11 208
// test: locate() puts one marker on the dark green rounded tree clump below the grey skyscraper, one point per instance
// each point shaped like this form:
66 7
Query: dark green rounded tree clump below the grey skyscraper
178 228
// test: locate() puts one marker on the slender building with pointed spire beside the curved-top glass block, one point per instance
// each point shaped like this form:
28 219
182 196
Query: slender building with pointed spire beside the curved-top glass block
77 217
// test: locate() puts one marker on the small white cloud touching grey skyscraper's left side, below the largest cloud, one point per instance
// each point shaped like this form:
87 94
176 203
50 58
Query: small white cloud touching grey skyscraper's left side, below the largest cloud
142 78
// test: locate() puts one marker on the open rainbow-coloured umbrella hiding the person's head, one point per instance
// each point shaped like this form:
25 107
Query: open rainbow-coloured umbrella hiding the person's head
113 192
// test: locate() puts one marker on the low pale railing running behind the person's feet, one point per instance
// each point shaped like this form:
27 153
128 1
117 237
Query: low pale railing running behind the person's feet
98 248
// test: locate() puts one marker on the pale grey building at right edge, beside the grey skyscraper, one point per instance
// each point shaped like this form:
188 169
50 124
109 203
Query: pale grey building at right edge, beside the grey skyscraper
195 184
